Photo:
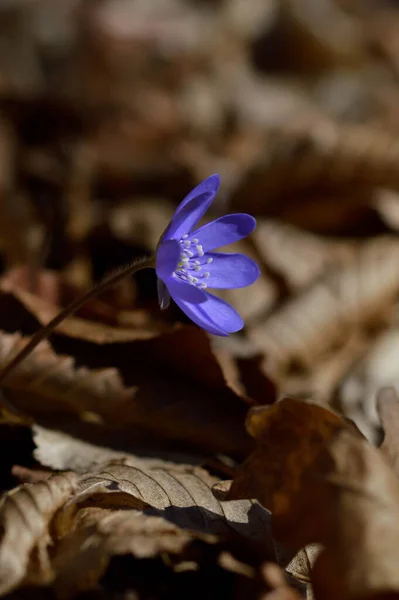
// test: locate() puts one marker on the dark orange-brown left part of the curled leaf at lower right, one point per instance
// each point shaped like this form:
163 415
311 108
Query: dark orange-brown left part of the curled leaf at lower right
289 435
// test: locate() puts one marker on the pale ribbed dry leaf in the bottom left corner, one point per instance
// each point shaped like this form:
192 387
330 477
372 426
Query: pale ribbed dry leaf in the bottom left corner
25 514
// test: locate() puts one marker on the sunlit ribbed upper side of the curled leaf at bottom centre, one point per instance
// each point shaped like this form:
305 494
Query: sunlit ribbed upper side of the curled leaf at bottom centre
182 494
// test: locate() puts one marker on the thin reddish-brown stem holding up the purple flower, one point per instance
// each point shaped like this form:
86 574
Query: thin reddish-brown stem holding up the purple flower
46 331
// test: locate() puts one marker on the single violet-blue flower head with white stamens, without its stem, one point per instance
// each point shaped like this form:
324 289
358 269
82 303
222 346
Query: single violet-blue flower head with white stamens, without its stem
187 266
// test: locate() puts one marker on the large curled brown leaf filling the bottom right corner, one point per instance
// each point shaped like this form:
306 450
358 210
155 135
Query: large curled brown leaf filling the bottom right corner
325 484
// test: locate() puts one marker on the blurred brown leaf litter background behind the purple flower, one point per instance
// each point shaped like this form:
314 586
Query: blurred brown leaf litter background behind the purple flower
111 110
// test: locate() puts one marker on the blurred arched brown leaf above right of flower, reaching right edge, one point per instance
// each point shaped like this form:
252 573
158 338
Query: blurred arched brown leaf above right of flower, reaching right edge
321 156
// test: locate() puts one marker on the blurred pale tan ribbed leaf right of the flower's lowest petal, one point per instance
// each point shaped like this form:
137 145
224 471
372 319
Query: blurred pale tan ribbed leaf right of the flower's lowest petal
350 297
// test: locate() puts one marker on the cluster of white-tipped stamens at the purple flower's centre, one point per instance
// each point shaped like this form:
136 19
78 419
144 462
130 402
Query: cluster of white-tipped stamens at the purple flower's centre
193 264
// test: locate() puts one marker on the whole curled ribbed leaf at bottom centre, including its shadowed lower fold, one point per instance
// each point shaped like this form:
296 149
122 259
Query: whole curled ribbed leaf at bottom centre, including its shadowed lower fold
127 509
